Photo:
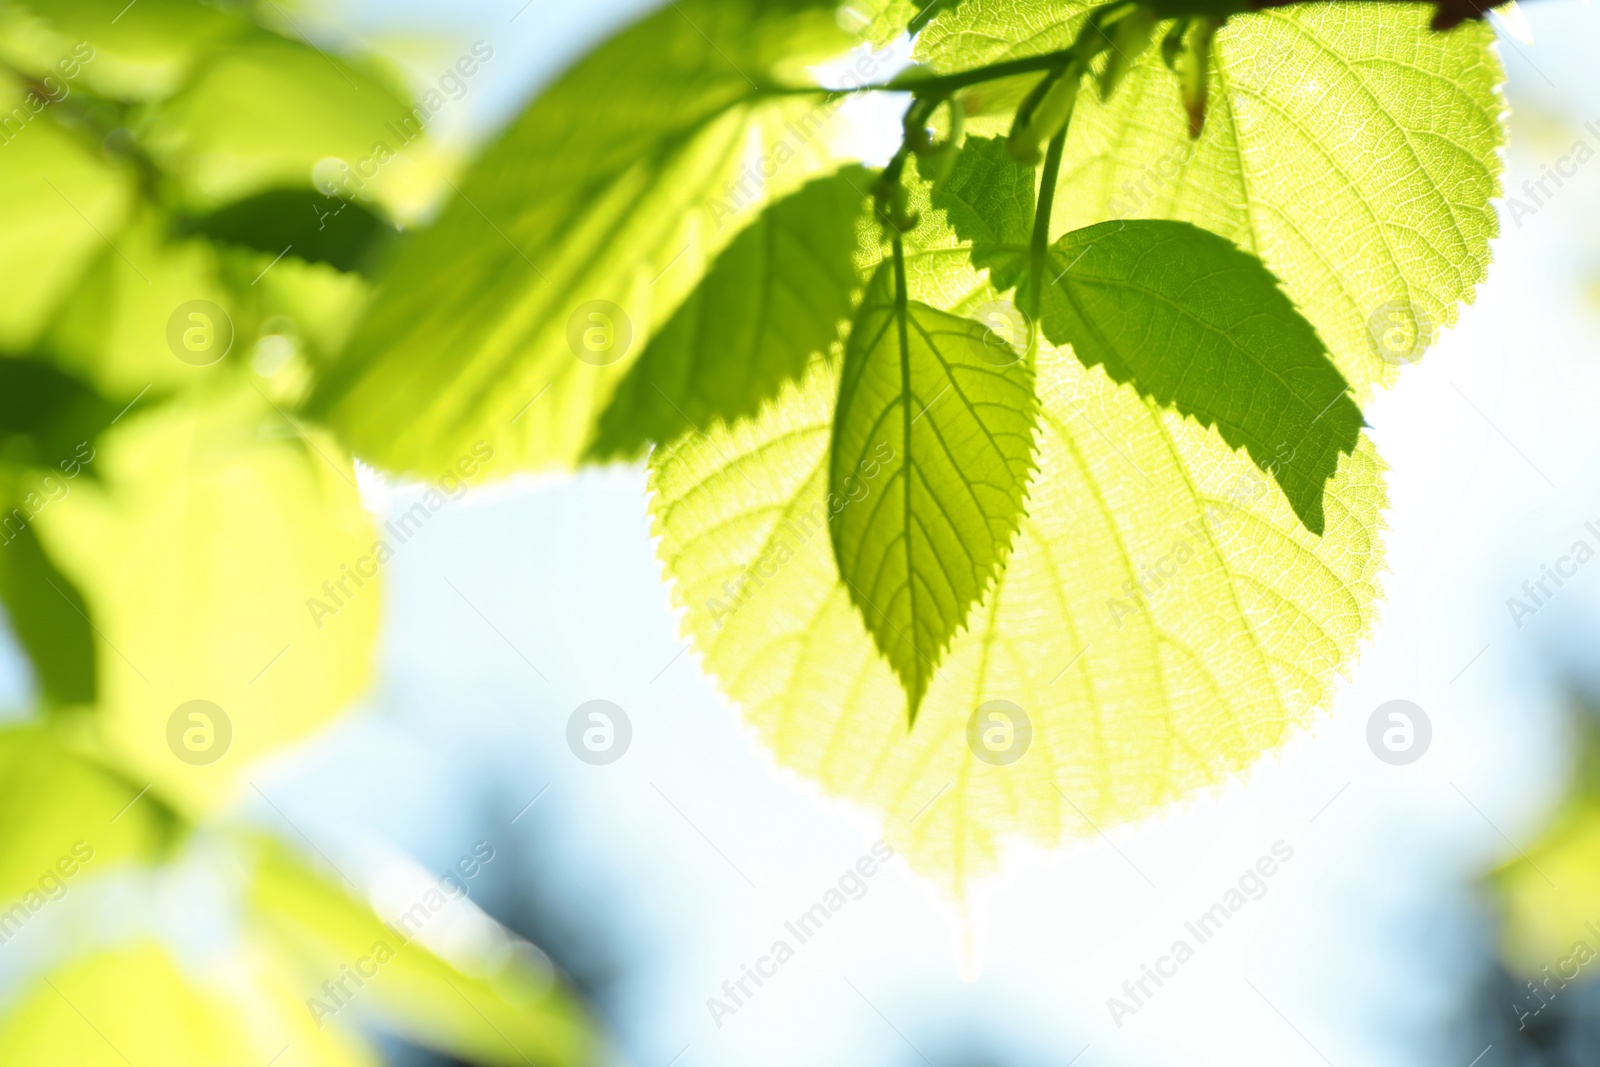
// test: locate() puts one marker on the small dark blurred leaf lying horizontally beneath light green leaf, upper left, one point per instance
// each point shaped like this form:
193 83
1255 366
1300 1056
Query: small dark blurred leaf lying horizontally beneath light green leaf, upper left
300 223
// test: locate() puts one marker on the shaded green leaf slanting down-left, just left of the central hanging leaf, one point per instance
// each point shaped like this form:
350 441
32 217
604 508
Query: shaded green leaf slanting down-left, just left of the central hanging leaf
777 297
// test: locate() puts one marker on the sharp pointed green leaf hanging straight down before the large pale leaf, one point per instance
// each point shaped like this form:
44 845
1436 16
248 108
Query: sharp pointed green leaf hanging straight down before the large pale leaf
934 444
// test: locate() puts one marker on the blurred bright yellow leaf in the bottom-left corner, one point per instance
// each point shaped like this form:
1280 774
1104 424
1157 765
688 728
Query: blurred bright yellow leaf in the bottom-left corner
134 1005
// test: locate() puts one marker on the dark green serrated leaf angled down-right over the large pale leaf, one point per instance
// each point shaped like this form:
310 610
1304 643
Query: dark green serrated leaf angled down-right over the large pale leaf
1193 322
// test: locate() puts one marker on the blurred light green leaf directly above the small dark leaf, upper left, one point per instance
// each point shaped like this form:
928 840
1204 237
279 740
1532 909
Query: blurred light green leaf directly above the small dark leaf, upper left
263 113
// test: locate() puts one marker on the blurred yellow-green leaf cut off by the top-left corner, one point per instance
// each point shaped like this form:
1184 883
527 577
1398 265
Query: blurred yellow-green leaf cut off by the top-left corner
111 47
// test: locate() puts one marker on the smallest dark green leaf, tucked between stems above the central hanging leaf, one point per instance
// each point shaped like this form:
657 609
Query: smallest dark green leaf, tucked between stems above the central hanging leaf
988 201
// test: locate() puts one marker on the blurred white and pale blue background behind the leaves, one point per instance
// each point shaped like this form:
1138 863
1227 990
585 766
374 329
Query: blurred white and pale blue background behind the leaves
1404 930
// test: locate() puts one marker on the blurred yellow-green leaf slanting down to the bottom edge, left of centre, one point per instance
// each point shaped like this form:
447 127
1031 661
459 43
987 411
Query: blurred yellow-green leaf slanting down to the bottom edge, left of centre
489 1007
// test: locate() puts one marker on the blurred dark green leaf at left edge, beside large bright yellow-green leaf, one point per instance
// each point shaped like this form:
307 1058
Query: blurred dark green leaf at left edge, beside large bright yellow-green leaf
49 617
